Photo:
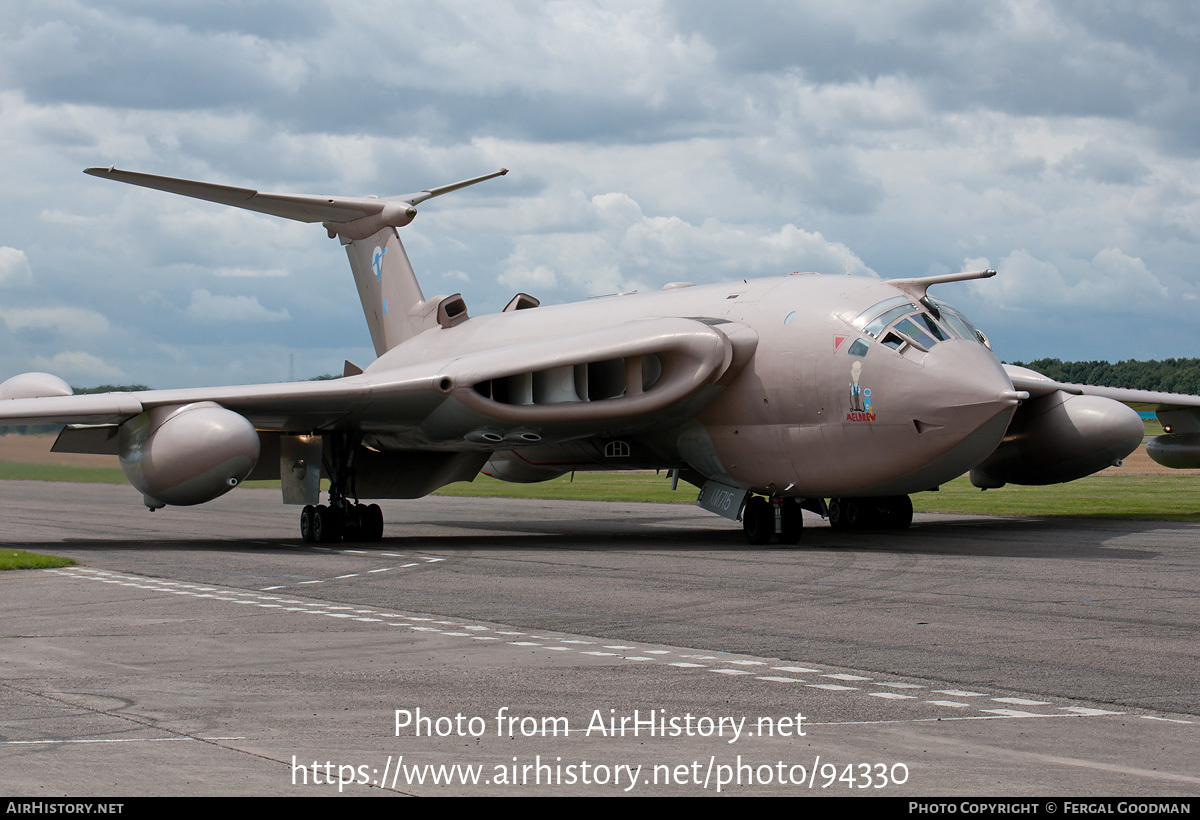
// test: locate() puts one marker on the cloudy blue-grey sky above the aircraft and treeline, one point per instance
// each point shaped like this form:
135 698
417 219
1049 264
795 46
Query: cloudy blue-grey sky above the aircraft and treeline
649 142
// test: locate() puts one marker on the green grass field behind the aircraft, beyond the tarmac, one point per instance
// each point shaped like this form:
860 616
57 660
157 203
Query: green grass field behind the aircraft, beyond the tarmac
1141 490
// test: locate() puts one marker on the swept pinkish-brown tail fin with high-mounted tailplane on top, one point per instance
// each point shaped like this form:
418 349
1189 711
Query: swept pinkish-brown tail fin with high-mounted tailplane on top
392 297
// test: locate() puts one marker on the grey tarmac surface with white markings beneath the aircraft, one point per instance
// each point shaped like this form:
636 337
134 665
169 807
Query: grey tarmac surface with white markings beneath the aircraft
496 647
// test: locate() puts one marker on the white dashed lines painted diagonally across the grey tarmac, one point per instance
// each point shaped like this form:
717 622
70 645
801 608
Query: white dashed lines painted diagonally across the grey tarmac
682 661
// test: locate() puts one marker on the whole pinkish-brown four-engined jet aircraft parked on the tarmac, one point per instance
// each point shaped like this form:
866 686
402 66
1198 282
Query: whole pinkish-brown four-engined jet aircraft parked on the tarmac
836 394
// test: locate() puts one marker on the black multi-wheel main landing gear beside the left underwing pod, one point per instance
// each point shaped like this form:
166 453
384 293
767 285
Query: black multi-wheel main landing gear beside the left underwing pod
343 518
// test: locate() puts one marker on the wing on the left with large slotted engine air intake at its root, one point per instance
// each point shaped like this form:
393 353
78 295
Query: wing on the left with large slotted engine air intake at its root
621 378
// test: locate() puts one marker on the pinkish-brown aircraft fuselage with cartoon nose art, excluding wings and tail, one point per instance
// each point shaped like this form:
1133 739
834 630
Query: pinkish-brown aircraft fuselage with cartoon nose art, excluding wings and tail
823 410
